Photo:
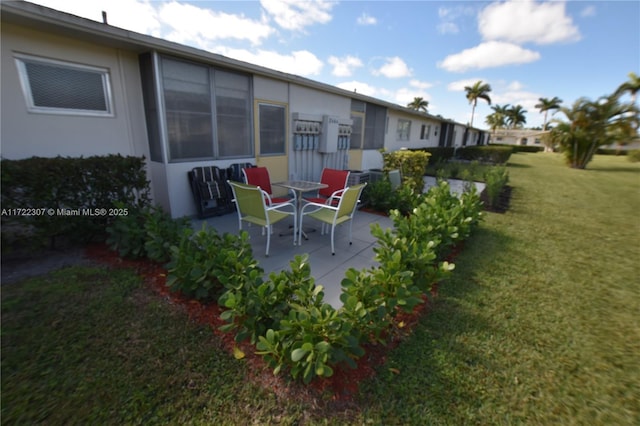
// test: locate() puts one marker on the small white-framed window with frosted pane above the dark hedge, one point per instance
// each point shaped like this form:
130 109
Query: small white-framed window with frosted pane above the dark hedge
64 88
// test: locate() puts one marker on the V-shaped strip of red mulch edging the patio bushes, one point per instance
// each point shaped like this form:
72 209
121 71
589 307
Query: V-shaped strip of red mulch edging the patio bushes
337 390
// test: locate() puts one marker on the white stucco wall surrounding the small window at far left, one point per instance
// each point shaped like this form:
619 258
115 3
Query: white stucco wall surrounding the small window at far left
25 134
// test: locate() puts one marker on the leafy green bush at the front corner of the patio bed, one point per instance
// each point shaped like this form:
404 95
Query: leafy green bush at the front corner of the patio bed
288 321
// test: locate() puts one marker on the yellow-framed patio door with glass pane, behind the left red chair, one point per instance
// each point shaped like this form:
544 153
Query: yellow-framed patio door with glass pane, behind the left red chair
272 140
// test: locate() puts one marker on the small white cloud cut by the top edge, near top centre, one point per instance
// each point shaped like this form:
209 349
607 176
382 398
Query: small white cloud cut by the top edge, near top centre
295 15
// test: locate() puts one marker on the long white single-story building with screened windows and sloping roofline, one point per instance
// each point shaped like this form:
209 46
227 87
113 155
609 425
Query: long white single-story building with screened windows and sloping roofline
77 87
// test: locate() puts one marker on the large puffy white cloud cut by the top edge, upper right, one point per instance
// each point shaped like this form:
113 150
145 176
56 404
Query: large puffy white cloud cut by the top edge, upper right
527 21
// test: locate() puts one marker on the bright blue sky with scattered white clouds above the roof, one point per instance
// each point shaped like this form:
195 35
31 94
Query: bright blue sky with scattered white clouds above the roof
397 50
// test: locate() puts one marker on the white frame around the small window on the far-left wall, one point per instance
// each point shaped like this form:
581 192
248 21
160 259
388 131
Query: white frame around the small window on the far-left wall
22 60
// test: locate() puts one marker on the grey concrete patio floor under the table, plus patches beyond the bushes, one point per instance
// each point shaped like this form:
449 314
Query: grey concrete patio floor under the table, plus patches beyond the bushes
327 270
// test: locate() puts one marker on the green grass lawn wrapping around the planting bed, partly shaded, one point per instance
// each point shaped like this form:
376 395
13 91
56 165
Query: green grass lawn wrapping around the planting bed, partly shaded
539 324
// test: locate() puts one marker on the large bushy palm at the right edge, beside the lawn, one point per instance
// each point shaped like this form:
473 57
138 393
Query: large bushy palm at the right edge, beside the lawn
592 124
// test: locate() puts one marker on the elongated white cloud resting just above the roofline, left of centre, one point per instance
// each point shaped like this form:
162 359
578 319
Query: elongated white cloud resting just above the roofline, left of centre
300 62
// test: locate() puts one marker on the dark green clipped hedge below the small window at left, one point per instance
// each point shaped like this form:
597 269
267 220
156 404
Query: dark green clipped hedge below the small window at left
45 198
